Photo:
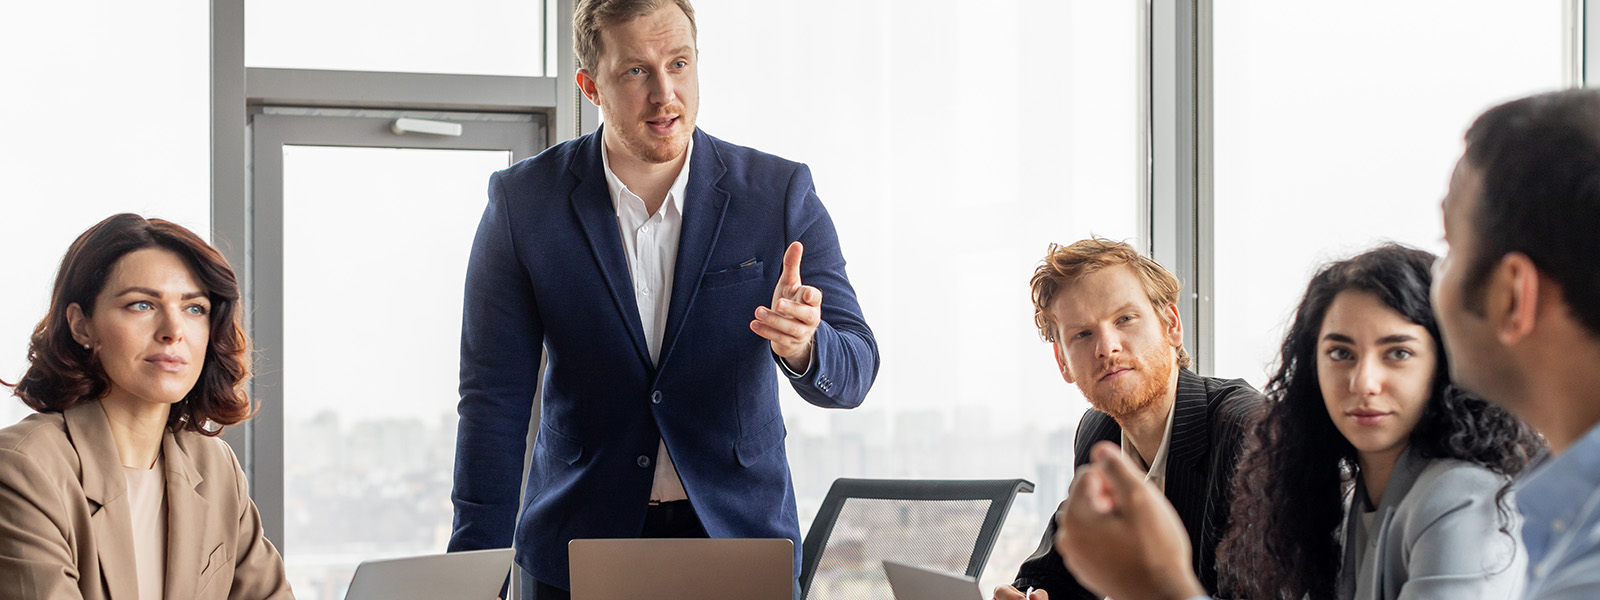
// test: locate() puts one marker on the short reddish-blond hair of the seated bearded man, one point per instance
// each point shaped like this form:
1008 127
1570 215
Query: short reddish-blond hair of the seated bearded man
1068 265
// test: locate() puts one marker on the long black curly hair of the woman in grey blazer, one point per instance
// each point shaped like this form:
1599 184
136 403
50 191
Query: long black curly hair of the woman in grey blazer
1289 492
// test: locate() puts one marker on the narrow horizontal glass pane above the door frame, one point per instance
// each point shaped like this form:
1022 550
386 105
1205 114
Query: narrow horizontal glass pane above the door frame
479 38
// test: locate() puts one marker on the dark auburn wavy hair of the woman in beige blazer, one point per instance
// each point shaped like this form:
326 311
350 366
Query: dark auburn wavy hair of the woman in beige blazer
62 374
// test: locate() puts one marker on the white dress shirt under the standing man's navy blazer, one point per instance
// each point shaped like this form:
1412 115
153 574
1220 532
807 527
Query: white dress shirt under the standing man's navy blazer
652 247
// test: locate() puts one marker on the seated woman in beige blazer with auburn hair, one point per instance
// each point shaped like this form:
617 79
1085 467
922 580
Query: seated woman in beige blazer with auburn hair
118 487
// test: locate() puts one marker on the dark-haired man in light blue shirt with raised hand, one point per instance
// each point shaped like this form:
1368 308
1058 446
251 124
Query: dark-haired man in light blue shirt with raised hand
1519 306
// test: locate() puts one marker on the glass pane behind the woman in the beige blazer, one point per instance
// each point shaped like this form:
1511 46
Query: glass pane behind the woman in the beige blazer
110 114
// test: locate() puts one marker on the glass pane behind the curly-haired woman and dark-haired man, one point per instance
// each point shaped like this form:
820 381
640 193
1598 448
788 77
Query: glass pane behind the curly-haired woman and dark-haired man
1337 130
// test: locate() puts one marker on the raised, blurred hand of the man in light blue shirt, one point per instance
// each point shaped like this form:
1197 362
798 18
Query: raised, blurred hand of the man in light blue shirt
1121 538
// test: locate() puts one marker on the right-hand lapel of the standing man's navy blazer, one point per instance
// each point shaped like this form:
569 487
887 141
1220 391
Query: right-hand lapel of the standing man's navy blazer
703 210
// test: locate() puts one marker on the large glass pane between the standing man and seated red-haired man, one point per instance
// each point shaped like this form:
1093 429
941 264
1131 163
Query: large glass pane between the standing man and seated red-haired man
953 143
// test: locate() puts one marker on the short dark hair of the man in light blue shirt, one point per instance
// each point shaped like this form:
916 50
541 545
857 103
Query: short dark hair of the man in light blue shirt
1540 159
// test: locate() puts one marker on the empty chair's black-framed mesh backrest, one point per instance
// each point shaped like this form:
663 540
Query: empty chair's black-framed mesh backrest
948 526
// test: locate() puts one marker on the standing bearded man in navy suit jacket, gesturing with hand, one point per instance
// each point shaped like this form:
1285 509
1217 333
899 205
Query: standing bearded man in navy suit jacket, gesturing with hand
660 273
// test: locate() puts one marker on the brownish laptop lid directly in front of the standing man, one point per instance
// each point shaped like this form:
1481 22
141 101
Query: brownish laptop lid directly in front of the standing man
682 569
